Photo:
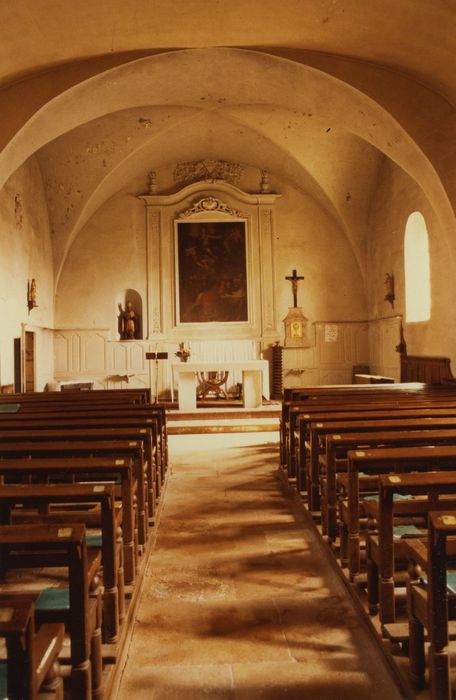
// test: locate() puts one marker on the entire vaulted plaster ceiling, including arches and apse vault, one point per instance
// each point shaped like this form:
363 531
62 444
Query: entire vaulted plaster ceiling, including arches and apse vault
317 91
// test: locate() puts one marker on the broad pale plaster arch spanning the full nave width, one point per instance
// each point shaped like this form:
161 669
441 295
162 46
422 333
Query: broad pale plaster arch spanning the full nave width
268 81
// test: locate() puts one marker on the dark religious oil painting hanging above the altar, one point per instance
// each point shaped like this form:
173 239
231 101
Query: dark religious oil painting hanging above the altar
212 272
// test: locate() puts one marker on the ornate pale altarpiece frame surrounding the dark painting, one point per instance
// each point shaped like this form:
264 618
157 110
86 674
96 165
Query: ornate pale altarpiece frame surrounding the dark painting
216 202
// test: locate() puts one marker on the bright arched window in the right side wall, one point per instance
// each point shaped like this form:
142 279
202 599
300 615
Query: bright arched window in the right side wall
417 269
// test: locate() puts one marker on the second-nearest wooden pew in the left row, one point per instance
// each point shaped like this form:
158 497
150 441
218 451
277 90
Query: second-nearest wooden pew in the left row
63 547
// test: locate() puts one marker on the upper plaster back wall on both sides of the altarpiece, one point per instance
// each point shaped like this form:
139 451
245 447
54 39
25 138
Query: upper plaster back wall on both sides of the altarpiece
110 255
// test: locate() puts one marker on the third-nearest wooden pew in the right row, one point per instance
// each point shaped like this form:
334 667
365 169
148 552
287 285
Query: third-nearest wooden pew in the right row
376 461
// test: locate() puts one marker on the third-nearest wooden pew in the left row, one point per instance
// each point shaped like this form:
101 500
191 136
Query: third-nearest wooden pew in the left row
39 495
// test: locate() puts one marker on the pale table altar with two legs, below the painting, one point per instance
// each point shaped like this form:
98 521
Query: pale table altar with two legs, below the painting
255 380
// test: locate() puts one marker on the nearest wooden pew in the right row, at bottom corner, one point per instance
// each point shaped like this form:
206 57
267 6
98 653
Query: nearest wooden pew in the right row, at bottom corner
431 607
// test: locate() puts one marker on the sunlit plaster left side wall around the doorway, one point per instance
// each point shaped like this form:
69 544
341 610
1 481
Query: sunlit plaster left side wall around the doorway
25 252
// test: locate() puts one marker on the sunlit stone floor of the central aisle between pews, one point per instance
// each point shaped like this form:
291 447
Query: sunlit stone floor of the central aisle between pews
239 602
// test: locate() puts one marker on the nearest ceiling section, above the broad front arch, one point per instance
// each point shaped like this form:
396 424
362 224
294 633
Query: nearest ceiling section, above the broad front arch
416 38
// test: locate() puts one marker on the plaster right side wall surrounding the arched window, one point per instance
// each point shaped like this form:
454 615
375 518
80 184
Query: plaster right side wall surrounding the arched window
397 196
